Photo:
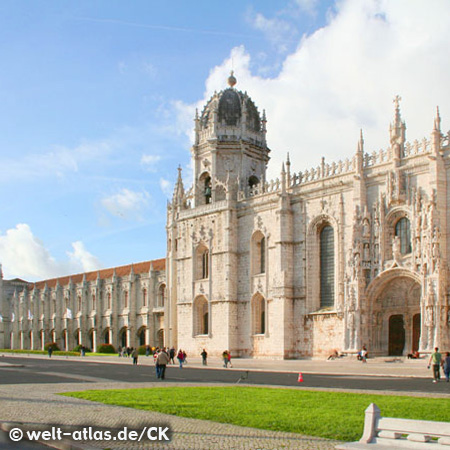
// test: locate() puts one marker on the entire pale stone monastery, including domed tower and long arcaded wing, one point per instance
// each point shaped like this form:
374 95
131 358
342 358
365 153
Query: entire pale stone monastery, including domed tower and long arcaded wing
343 255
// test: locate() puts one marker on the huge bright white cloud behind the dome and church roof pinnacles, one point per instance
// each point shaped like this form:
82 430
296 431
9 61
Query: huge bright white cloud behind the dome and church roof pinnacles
344 76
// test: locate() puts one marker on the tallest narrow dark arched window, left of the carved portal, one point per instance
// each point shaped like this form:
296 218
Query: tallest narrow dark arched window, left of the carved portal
327 267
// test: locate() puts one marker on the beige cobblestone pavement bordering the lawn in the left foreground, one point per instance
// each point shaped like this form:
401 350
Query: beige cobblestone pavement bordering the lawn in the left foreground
41 404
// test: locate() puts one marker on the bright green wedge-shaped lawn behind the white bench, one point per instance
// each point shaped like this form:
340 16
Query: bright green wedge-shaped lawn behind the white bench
333 415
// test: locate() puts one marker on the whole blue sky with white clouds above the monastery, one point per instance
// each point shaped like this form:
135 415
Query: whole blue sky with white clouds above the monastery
97 100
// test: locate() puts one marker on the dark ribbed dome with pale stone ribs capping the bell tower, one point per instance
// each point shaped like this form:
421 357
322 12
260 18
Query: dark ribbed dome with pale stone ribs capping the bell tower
231 115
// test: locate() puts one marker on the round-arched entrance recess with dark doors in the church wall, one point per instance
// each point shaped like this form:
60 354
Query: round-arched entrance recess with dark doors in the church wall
396 317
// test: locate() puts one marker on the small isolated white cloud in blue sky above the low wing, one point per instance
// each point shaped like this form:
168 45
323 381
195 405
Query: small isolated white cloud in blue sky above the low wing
127 204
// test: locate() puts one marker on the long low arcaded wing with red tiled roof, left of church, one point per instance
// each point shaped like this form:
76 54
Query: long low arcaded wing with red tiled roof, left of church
123 306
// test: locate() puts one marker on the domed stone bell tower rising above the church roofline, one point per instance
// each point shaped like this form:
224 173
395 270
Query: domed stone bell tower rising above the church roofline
230 145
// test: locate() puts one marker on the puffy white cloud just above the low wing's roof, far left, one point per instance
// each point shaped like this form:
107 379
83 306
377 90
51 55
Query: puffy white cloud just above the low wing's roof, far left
23 255
